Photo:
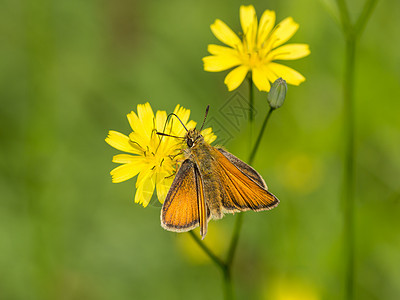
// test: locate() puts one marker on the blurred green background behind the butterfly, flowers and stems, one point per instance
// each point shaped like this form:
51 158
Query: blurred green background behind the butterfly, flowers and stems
72 70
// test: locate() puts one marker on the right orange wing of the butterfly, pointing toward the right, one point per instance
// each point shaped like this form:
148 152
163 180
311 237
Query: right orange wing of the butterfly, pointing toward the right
243 189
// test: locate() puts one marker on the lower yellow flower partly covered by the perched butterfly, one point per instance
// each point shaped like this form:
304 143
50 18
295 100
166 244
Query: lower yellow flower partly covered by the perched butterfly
155 158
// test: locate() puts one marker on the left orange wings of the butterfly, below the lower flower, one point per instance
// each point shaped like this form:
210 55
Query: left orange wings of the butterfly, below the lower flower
184 207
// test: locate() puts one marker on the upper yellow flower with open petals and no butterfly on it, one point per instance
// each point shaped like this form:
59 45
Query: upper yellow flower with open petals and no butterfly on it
255 52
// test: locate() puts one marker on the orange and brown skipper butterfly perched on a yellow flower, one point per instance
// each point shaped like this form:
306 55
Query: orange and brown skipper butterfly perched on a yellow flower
209 183
